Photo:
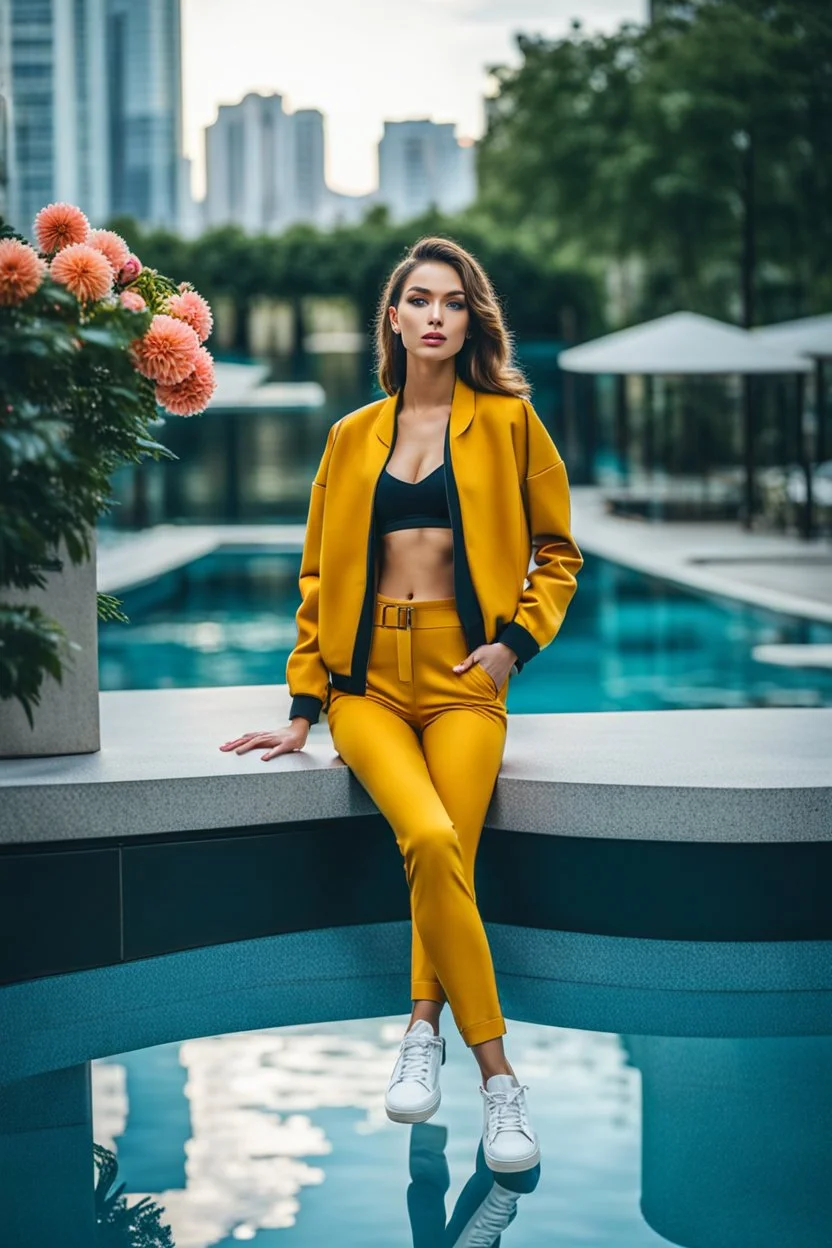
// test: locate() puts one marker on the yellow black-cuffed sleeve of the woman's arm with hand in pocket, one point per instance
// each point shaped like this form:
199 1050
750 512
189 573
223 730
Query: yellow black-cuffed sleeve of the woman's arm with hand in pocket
553 582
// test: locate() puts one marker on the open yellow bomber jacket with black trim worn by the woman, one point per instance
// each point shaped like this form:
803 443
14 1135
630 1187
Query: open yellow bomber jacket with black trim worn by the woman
508 497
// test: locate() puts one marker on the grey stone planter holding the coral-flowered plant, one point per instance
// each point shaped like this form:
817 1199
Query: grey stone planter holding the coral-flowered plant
67 721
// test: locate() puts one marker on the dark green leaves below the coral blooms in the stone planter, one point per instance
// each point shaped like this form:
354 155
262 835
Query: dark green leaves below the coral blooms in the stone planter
73 410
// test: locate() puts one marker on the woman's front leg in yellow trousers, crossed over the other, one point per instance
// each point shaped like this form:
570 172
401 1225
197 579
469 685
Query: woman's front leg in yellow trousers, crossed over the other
385 754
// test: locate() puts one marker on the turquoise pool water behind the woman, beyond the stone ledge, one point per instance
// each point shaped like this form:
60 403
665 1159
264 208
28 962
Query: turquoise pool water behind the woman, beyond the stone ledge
631 642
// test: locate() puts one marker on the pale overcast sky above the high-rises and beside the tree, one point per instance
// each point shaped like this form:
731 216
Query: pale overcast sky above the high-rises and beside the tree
364 62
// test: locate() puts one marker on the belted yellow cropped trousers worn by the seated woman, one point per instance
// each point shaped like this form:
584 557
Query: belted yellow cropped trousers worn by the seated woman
427 744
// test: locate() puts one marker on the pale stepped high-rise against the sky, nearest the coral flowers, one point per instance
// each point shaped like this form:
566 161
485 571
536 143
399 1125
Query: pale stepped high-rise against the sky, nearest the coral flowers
265 167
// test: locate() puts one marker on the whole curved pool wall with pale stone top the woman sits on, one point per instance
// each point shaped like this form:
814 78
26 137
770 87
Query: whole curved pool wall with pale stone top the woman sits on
659 872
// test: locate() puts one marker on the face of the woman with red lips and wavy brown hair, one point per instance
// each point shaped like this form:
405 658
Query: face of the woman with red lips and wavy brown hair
433 303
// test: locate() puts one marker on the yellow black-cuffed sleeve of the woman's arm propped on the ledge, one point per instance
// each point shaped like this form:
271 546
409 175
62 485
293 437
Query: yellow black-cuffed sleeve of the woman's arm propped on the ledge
306 673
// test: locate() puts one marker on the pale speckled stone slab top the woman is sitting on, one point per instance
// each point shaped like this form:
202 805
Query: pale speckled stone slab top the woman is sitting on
694 776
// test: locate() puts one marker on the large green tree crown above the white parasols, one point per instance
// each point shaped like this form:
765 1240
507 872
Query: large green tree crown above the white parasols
697 148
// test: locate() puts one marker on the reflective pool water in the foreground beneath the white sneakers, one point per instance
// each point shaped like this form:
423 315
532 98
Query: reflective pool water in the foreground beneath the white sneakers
279 1138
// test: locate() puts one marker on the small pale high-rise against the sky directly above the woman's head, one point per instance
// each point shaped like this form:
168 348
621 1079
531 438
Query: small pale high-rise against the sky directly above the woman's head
421 164
